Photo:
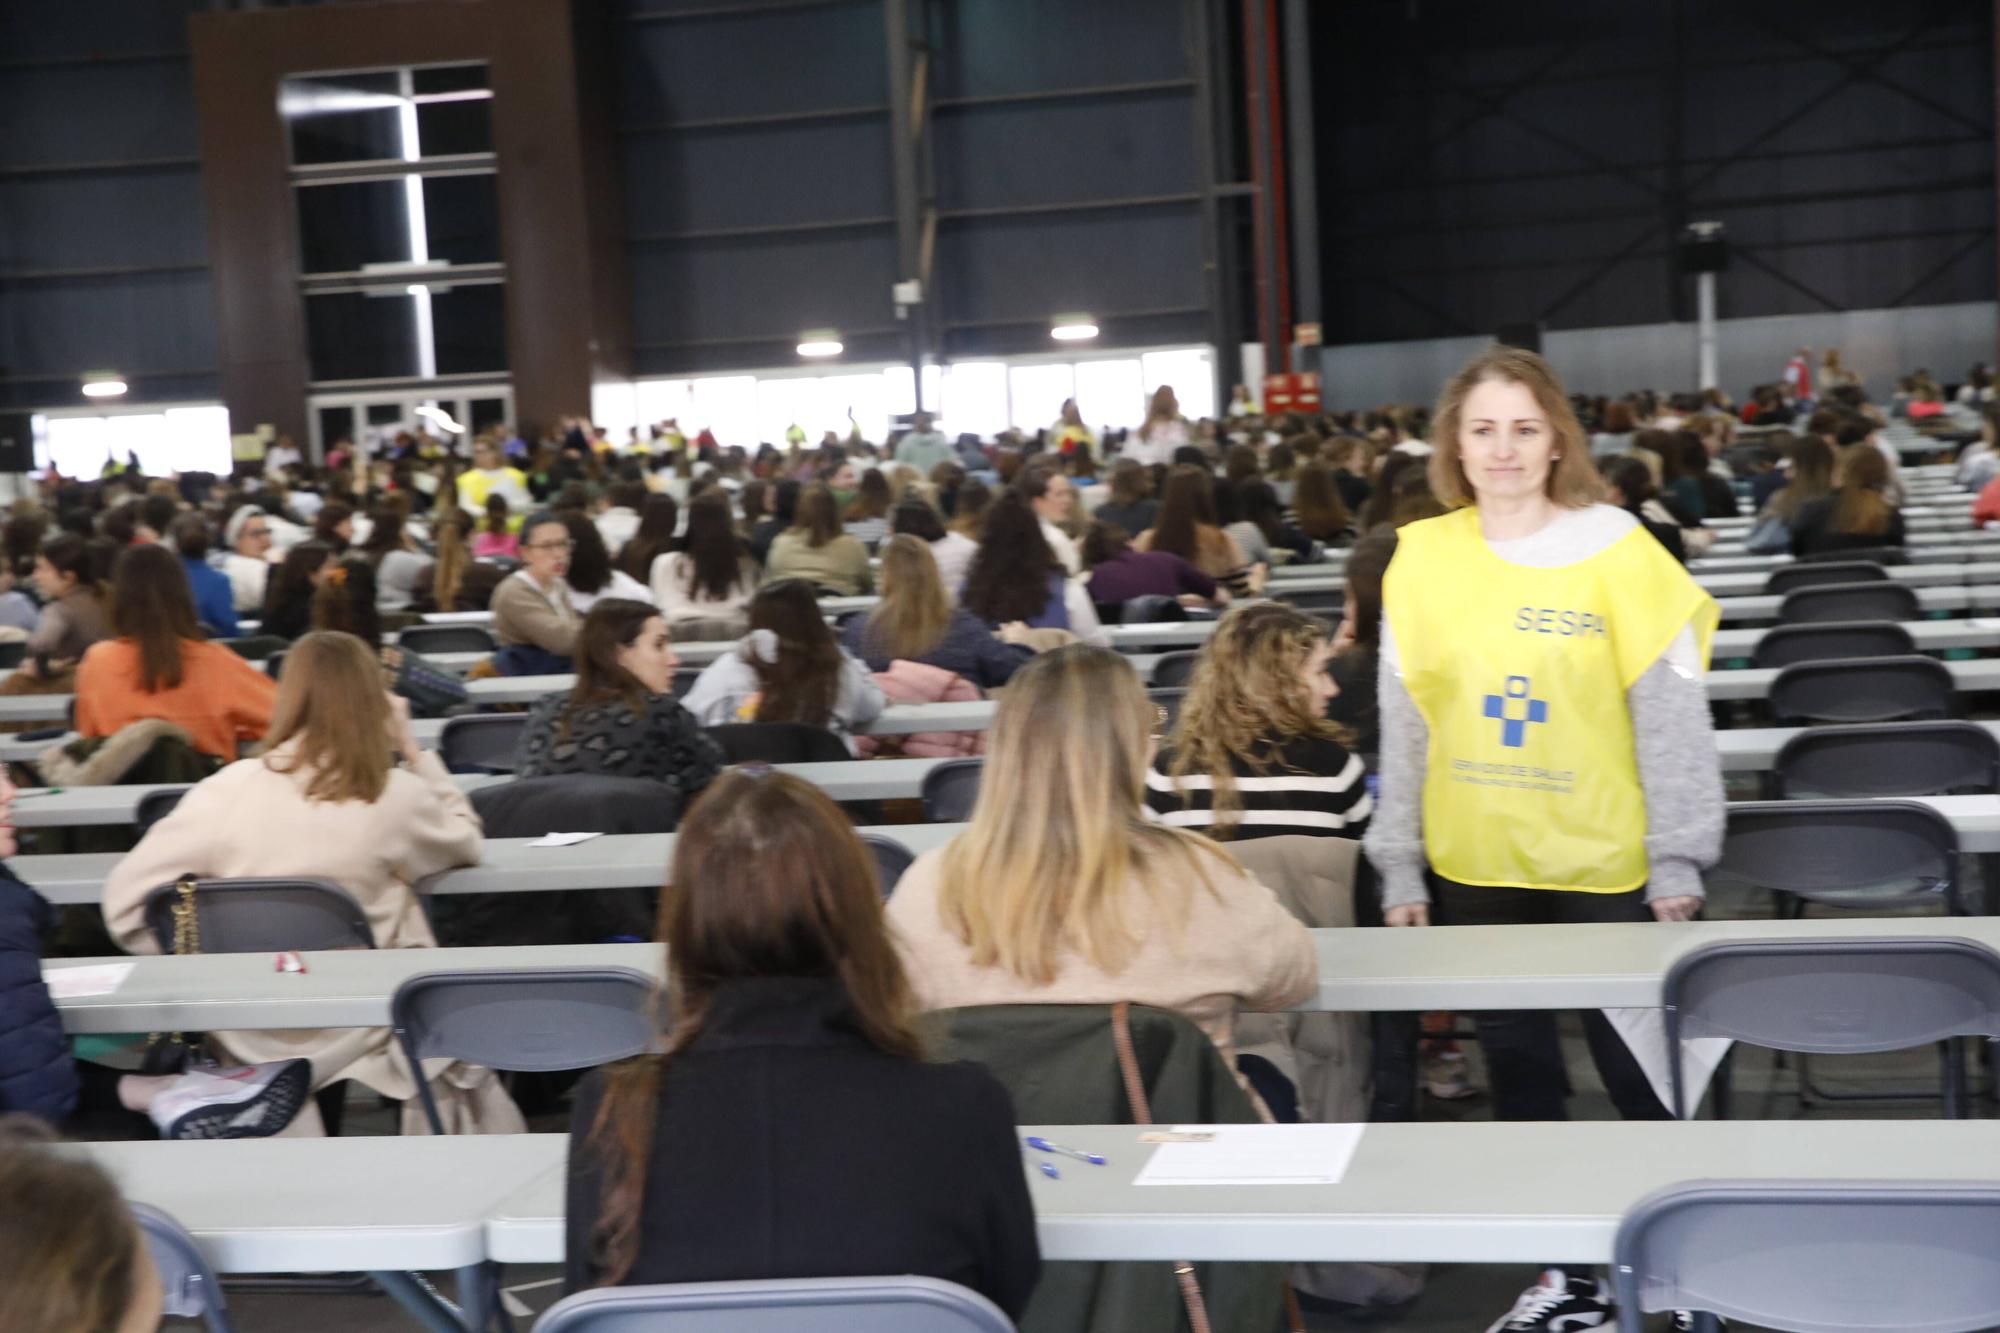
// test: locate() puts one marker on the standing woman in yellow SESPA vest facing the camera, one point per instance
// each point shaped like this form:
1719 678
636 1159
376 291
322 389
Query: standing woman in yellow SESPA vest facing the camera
1547 750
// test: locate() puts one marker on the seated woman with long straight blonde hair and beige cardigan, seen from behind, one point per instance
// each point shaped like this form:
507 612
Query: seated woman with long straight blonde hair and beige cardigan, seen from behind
1063 892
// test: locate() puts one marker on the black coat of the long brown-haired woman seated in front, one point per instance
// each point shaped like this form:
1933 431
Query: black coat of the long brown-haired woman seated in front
787 1146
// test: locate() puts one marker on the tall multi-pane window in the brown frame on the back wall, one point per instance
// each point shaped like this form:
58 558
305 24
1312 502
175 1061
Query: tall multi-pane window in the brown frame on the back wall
399 223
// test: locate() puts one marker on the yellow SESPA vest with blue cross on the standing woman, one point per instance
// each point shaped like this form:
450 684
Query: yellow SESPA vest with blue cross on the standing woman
1523 676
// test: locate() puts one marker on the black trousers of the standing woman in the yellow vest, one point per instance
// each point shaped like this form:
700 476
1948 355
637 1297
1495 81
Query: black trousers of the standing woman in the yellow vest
1521 1046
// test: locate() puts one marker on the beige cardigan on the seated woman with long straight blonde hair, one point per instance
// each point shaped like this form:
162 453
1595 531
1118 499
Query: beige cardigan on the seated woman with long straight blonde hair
1239 950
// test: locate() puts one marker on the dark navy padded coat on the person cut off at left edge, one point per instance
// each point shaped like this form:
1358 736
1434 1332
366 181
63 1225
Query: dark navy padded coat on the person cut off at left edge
37 1072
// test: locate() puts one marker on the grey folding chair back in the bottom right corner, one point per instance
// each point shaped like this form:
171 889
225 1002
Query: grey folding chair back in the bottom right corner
1807 1256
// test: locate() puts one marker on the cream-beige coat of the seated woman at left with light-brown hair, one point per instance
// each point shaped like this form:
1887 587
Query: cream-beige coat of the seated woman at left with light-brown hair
253 822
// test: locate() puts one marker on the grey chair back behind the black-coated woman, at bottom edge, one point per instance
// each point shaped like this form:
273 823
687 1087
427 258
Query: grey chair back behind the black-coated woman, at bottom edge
781 1306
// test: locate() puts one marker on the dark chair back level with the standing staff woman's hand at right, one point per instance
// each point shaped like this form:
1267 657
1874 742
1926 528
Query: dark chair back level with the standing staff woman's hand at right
1843 854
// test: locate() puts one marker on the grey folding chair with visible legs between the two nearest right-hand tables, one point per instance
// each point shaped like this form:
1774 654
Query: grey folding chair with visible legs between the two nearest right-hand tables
1835 998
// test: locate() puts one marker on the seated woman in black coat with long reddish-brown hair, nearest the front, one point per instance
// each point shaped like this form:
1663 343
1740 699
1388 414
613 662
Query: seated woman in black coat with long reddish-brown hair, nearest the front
789 998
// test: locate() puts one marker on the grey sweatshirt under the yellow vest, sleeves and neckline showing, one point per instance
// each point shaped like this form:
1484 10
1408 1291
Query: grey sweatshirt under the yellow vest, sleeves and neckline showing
1671 728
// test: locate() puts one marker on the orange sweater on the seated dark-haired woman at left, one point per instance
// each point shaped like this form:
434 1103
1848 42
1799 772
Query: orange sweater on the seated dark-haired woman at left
221 700
